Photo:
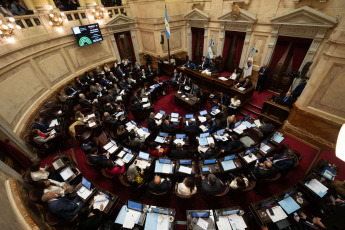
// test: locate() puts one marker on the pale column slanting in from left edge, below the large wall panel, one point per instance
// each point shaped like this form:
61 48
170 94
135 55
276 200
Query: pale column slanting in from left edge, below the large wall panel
16 142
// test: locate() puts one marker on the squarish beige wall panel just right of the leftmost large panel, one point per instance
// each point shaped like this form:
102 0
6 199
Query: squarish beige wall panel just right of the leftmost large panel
53 66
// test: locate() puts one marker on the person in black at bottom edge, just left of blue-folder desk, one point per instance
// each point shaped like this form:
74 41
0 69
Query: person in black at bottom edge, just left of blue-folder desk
91 219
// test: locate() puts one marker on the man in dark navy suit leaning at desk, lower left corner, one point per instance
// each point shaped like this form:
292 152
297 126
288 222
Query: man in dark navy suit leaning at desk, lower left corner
63 206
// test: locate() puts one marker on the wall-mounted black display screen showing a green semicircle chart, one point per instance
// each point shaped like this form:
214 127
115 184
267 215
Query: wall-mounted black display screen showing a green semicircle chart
88 34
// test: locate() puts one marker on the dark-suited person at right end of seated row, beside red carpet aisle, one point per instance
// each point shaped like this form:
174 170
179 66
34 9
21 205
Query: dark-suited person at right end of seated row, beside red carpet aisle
284 161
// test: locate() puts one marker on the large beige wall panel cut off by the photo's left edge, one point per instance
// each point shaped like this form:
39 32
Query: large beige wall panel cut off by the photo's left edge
19 89
